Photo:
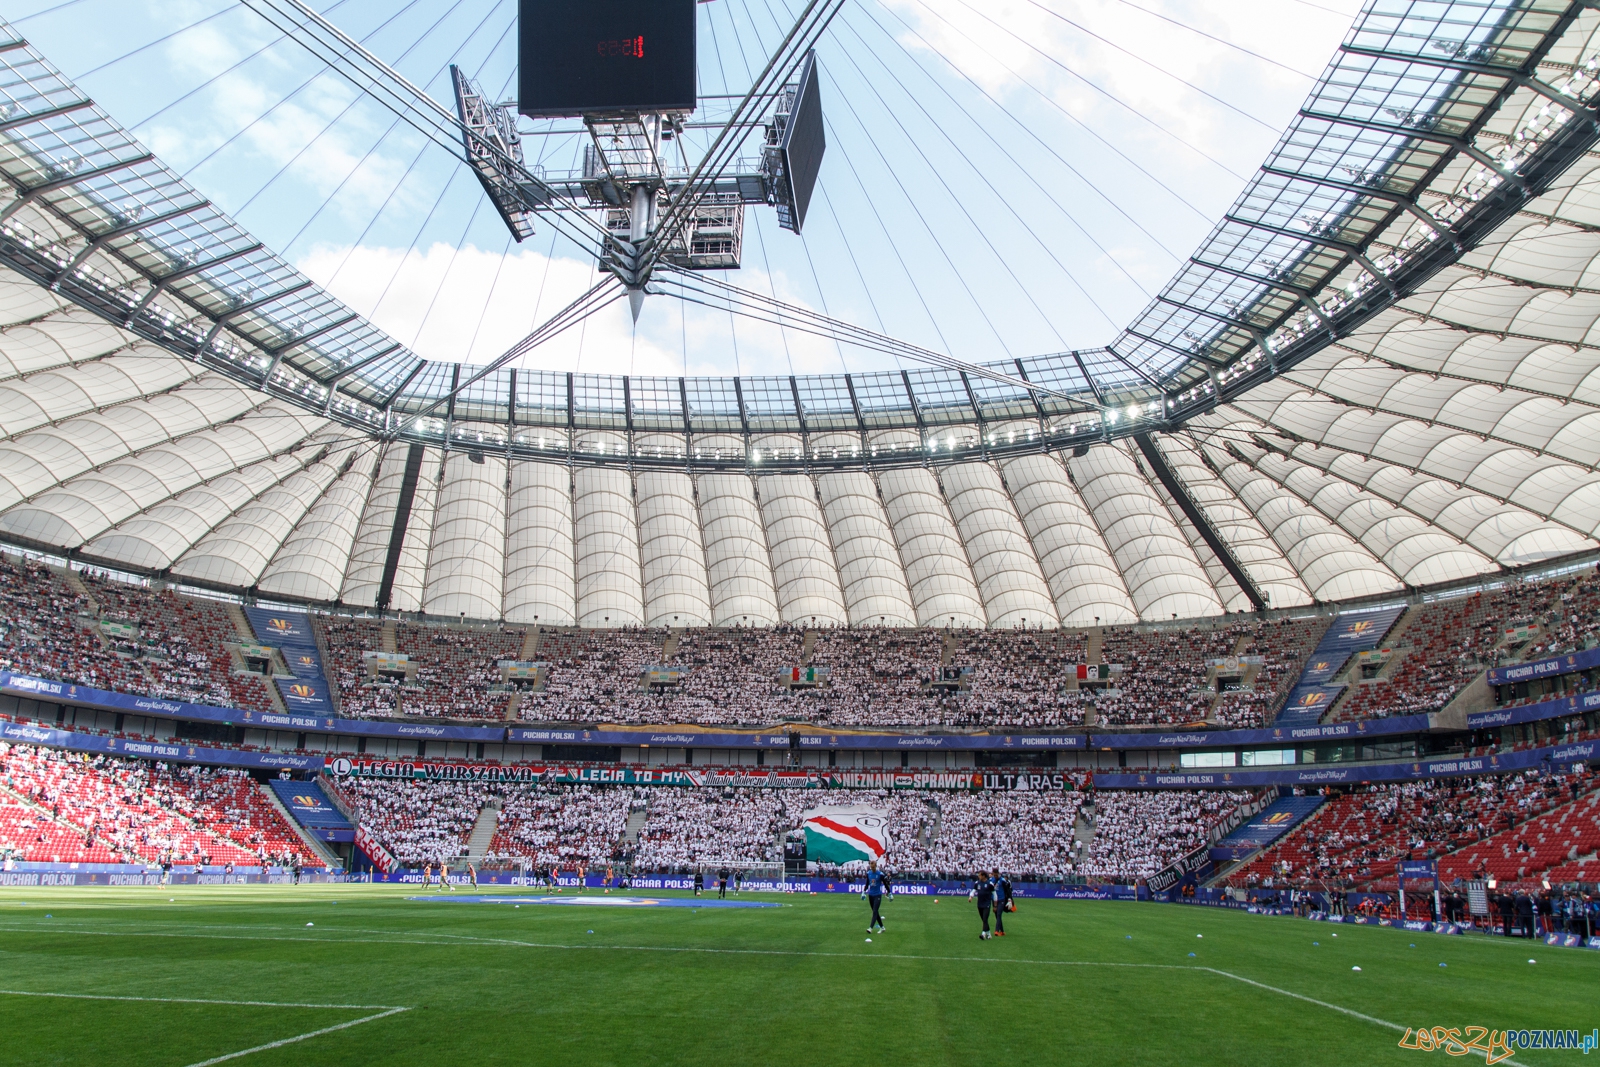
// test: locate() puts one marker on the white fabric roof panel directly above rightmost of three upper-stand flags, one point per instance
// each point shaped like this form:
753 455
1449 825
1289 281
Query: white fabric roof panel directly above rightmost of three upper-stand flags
1074 557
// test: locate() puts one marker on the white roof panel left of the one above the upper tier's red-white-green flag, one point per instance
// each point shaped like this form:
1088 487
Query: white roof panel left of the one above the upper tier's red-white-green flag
737 559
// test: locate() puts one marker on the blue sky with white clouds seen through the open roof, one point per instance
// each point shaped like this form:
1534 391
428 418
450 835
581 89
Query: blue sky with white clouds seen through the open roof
1002 178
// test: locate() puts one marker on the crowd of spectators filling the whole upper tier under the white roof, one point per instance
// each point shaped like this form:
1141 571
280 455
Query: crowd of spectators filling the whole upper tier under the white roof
135 639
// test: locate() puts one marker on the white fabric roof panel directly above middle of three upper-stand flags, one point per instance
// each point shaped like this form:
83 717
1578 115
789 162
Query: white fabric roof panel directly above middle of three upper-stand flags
937 567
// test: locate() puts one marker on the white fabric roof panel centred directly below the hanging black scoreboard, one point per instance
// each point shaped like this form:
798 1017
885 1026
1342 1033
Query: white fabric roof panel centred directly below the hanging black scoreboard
610 585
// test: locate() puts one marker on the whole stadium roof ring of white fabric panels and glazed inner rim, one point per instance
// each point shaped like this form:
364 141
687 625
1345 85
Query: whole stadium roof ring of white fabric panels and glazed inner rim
1378 370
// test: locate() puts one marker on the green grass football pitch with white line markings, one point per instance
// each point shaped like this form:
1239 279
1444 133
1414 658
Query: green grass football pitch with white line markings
364 975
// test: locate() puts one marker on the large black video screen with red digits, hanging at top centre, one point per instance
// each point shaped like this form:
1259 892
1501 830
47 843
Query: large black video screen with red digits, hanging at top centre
593 57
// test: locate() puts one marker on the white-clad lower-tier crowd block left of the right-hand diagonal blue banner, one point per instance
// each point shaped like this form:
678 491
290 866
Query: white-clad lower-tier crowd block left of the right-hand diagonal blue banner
1140 833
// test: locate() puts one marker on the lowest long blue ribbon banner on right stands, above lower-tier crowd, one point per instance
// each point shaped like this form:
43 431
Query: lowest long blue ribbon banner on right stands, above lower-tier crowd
1558 757
